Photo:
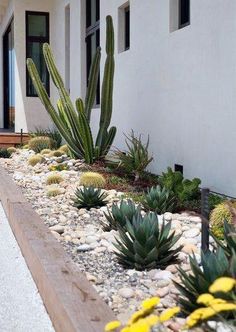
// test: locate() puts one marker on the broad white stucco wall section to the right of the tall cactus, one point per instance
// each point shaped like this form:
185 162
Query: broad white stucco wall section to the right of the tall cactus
180 87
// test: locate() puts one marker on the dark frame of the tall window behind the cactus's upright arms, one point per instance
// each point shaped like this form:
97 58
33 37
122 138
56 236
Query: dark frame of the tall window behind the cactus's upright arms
92 29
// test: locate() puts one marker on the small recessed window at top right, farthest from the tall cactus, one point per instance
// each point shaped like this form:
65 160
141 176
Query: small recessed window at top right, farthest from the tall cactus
179 14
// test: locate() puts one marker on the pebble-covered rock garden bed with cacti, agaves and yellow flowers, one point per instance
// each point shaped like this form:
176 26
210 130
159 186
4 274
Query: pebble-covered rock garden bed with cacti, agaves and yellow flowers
134 234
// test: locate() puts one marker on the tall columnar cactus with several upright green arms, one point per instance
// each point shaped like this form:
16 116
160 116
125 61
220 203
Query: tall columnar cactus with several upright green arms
74 122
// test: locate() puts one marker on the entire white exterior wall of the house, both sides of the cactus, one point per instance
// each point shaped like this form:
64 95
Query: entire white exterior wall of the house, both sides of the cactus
177 87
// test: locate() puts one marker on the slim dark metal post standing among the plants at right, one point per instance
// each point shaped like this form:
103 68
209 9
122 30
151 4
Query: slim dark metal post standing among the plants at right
205 219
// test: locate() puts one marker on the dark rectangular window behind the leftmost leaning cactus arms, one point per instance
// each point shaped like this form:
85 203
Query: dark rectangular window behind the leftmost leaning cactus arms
37 33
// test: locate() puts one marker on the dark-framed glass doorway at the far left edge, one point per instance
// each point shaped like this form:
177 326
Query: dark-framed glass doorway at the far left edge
9 78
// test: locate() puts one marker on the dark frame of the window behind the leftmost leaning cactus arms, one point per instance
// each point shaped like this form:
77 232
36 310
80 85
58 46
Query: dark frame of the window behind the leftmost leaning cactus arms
36 39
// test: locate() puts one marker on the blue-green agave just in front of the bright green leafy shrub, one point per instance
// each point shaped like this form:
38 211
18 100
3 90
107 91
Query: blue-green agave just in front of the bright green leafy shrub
159 200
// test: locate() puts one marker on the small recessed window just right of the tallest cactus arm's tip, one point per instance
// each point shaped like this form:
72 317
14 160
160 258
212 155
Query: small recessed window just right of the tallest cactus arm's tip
124 28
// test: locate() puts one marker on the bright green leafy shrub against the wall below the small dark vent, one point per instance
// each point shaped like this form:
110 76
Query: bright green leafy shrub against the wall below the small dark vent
185 190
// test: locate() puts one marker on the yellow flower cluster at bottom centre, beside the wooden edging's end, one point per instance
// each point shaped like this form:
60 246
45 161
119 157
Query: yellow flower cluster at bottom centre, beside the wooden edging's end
145 319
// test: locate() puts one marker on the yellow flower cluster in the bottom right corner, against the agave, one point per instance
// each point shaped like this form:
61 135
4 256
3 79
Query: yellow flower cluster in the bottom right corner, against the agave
213 306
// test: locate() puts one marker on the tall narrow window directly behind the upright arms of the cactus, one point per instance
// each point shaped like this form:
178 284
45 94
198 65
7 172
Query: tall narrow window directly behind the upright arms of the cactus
92 37
